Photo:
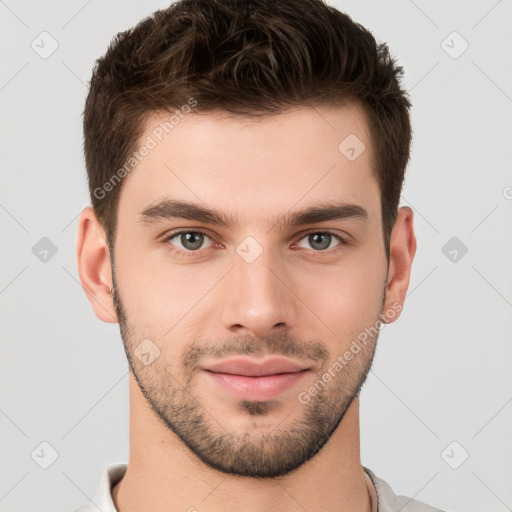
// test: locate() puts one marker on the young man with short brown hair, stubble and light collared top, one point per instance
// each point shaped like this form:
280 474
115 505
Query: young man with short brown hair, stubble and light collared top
245 163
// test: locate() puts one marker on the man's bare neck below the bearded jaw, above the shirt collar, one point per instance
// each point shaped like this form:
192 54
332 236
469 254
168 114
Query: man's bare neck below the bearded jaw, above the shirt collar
164 475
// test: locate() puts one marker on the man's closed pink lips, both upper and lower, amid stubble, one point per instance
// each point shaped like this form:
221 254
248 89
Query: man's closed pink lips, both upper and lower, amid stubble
250 380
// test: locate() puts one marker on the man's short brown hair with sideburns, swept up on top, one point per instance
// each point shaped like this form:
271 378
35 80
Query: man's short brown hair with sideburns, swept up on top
247 57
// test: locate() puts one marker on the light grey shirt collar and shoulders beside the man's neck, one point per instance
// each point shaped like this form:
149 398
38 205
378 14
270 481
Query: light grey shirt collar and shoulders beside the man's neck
387 500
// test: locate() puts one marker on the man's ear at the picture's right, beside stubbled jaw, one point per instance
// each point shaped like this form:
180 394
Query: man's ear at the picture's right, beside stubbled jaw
402 251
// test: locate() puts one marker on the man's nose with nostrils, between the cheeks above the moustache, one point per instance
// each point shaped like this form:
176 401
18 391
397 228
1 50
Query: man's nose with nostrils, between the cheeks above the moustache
259 297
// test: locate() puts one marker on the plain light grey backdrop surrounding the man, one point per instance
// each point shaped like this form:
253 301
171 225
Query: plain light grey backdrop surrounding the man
442 372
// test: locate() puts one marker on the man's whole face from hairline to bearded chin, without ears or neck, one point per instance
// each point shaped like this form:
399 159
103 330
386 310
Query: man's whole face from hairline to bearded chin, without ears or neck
249 257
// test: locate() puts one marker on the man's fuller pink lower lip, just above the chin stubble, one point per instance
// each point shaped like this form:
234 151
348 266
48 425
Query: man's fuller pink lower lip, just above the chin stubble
256 388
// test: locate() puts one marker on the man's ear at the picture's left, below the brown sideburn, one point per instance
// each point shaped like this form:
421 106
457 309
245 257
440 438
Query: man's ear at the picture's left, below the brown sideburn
94 269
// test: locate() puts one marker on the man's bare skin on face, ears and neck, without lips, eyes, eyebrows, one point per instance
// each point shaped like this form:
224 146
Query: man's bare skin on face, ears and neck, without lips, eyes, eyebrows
294 299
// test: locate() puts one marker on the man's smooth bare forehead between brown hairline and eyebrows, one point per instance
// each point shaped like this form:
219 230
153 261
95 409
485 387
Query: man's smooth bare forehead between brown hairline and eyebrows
255 165
